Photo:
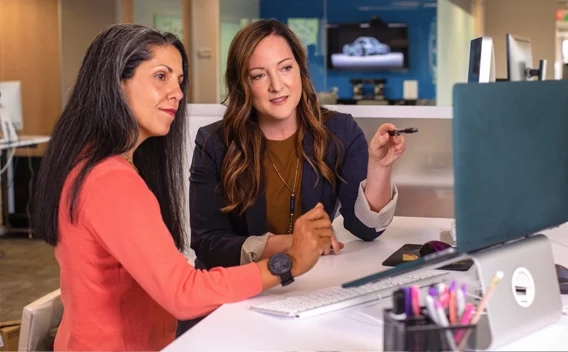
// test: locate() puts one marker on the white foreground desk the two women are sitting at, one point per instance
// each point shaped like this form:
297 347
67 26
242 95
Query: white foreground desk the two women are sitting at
233 327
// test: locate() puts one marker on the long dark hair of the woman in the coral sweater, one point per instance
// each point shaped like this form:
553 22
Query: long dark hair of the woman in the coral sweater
97 123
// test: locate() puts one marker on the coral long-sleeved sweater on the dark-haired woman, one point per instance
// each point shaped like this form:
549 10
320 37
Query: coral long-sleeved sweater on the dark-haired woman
123 282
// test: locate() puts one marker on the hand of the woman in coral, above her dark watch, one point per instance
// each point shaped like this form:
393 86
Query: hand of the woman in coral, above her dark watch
312 236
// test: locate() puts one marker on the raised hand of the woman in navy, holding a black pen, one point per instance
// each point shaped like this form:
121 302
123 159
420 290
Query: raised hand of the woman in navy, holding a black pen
385 149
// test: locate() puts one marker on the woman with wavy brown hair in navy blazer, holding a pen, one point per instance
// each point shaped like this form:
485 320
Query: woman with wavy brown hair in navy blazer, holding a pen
276 153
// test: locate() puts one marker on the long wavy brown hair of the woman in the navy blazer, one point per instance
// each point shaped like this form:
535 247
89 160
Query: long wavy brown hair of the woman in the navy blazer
241 171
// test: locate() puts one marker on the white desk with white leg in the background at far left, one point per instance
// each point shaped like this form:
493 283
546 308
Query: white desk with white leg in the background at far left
7 148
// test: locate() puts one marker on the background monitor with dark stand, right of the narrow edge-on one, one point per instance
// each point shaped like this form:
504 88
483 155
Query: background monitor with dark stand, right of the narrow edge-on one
520 65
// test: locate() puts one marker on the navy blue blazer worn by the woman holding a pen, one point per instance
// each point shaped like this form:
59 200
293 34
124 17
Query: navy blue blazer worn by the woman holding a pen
217 237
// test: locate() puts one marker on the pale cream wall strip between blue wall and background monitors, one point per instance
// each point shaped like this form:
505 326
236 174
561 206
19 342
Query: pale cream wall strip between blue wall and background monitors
456 28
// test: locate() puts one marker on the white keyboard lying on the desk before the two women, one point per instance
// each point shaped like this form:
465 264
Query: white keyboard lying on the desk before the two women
335 298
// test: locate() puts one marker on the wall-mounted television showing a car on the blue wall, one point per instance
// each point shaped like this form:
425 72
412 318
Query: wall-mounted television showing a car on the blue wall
375 46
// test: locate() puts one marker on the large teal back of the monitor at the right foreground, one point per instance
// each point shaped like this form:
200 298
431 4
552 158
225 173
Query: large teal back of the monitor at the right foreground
510 156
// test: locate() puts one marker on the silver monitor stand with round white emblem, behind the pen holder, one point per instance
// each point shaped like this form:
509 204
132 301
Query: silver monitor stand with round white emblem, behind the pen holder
527 299
